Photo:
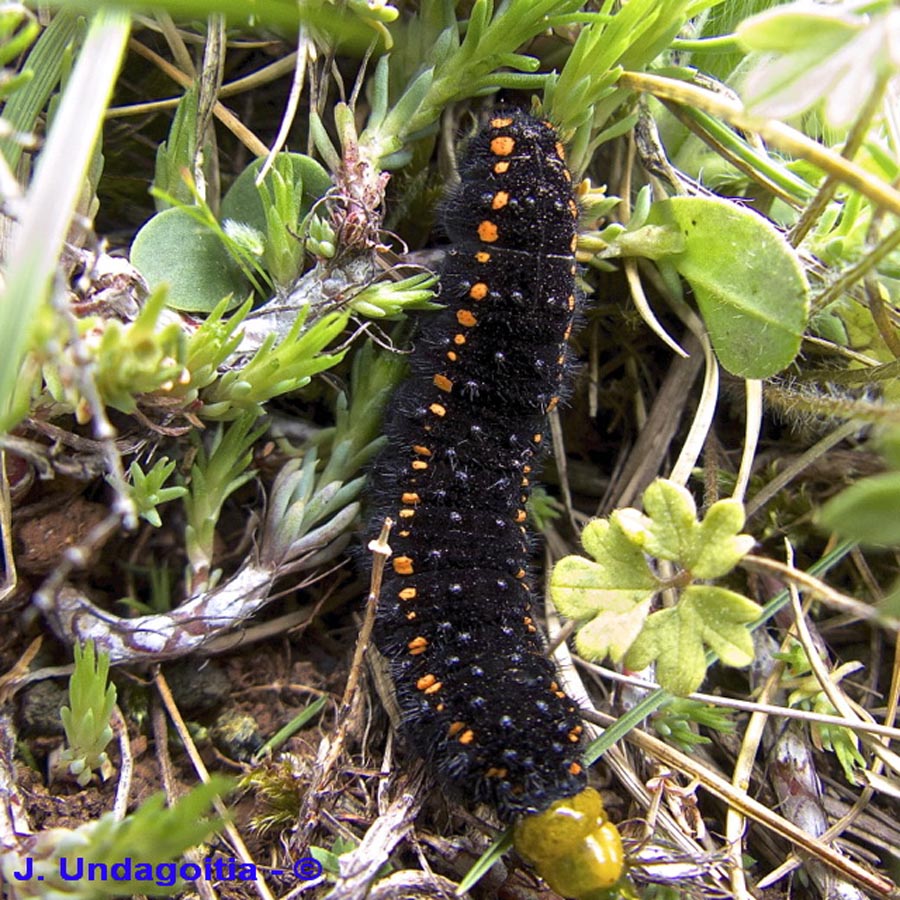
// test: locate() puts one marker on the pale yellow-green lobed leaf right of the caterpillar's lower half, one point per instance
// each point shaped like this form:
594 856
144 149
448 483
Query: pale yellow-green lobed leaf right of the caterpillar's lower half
612 595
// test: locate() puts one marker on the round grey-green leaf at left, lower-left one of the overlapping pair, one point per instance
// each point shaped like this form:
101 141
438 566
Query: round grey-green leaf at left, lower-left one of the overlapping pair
174 249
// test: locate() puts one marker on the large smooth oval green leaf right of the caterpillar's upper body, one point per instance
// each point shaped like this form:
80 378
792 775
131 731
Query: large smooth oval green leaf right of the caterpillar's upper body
748 282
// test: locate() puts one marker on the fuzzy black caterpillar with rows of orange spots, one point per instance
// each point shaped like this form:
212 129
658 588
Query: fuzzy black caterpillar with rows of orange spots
477 694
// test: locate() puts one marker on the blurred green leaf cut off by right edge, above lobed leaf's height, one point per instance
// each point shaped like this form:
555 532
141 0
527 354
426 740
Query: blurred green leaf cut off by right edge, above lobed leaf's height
866 511
